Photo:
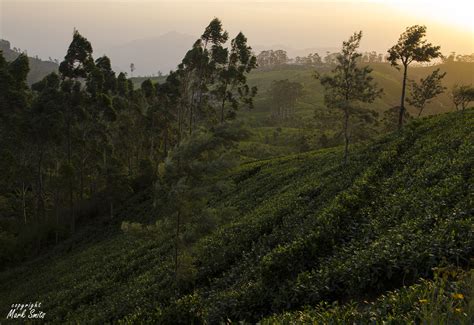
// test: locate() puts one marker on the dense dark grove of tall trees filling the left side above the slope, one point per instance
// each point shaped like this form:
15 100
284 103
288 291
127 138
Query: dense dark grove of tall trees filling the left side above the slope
86 139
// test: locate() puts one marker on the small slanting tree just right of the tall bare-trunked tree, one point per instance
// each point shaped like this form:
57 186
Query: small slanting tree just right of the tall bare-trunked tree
427 89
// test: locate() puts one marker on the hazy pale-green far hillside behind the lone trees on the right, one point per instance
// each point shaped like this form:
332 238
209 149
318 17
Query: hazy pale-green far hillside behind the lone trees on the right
302 132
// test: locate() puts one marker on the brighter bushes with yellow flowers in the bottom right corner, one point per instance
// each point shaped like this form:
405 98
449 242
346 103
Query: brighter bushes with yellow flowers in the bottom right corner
444 300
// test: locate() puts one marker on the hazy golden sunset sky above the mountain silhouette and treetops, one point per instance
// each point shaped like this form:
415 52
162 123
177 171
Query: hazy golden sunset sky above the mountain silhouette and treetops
44 27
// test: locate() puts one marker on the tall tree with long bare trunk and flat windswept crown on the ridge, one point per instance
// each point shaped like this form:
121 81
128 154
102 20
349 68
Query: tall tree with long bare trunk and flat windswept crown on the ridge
411 47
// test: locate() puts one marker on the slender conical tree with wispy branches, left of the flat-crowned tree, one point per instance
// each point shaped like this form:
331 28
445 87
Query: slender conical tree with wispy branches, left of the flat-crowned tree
349 84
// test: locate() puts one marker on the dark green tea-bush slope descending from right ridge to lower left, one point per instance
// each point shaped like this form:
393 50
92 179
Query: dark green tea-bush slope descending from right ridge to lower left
304 231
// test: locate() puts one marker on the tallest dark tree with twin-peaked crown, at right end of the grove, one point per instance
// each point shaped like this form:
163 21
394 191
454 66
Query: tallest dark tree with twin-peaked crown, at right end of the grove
210 77
